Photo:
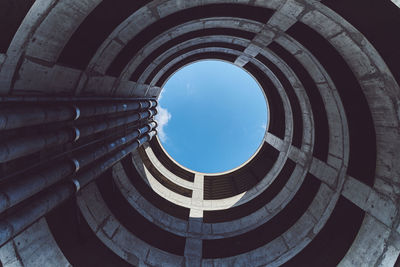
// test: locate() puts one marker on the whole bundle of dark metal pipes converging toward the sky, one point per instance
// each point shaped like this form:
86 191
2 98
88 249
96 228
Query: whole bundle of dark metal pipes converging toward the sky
40 192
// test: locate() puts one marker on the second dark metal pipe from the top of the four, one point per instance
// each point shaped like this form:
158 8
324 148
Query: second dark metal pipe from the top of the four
19 147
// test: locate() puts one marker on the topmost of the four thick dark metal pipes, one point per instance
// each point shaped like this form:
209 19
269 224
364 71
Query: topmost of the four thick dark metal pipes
13 118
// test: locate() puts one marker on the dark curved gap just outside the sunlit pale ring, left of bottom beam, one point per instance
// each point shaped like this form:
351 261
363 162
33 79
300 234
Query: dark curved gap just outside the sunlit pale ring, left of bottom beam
150 195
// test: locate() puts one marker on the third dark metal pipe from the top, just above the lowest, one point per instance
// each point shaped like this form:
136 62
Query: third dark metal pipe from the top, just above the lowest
21 189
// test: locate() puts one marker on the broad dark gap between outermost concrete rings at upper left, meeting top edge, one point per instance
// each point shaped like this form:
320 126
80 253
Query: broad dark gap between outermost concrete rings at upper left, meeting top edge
94 30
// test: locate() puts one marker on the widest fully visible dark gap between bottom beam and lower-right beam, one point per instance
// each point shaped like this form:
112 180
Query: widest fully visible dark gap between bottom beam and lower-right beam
280 223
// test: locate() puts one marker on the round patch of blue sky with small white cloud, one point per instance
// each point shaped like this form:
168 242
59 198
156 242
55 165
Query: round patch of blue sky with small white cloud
212 116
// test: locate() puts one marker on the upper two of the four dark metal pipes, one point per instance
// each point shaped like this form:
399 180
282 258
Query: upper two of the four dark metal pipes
13 118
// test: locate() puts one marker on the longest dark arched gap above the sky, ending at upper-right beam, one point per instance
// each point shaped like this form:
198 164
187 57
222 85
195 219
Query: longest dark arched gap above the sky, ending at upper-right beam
215 10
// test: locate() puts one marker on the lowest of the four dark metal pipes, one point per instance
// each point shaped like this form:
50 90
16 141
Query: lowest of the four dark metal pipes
16 222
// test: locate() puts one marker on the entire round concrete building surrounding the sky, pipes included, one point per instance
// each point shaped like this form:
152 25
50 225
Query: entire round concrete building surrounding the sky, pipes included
78 83
